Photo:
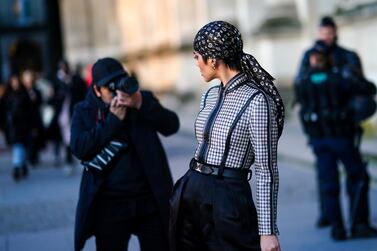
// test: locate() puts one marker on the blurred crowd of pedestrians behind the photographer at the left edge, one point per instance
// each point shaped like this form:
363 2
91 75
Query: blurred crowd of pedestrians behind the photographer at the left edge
35 113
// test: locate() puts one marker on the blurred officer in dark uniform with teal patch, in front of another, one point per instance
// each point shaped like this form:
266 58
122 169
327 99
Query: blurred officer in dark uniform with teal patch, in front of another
329 121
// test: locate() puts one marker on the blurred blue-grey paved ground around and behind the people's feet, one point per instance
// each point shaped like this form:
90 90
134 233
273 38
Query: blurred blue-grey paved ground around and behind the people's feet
38 213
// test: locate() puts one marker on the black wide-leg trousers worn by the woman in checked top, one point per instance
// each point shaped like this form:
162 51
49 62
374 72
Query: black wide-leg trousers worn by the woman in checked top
213 214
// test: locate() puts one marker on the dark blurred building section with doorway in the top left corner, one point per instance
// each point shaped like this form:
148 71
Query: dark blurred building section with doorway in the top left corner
30 36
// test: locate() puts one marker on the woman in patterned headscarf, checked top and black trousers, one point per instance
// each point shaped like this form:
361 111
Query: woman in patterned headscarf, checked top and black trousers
238 125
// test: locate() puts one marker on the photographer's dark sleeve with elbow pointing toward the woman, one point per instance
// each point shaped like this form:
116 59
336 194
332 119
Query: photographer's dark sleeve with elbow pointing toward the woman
159 118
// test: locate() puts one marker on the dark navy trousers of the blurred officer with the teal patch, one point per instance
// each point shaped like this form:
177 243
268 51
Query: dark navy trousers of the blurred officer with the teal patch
329 152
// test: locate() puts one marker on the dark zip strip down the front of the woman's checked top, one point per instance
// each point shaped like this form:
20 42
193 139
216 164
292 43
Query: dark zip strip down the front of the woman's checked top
209 124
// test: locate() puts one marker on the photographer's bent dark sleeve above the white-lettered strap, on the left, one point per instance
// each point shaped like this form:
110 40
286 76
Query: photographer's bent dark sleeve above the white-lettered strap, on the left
87 142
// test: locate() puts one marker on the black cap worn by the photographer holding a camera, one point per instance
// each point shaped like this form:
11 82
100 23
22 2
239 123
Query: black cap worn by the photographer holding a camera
107 69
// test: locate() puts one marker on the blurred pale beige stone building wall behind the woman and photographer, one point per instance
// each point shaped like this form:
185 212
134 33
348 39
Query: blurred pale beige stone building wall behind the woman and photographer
153 37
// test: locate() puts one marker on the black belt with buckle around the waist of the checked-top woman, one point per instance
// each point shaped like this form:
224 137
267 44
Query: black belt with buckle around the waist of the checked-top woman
214 170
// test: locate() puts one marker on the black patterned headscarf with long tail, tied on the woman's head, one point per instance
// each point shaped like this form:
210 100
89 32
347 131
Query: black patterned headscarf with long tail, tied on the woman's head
221 40
